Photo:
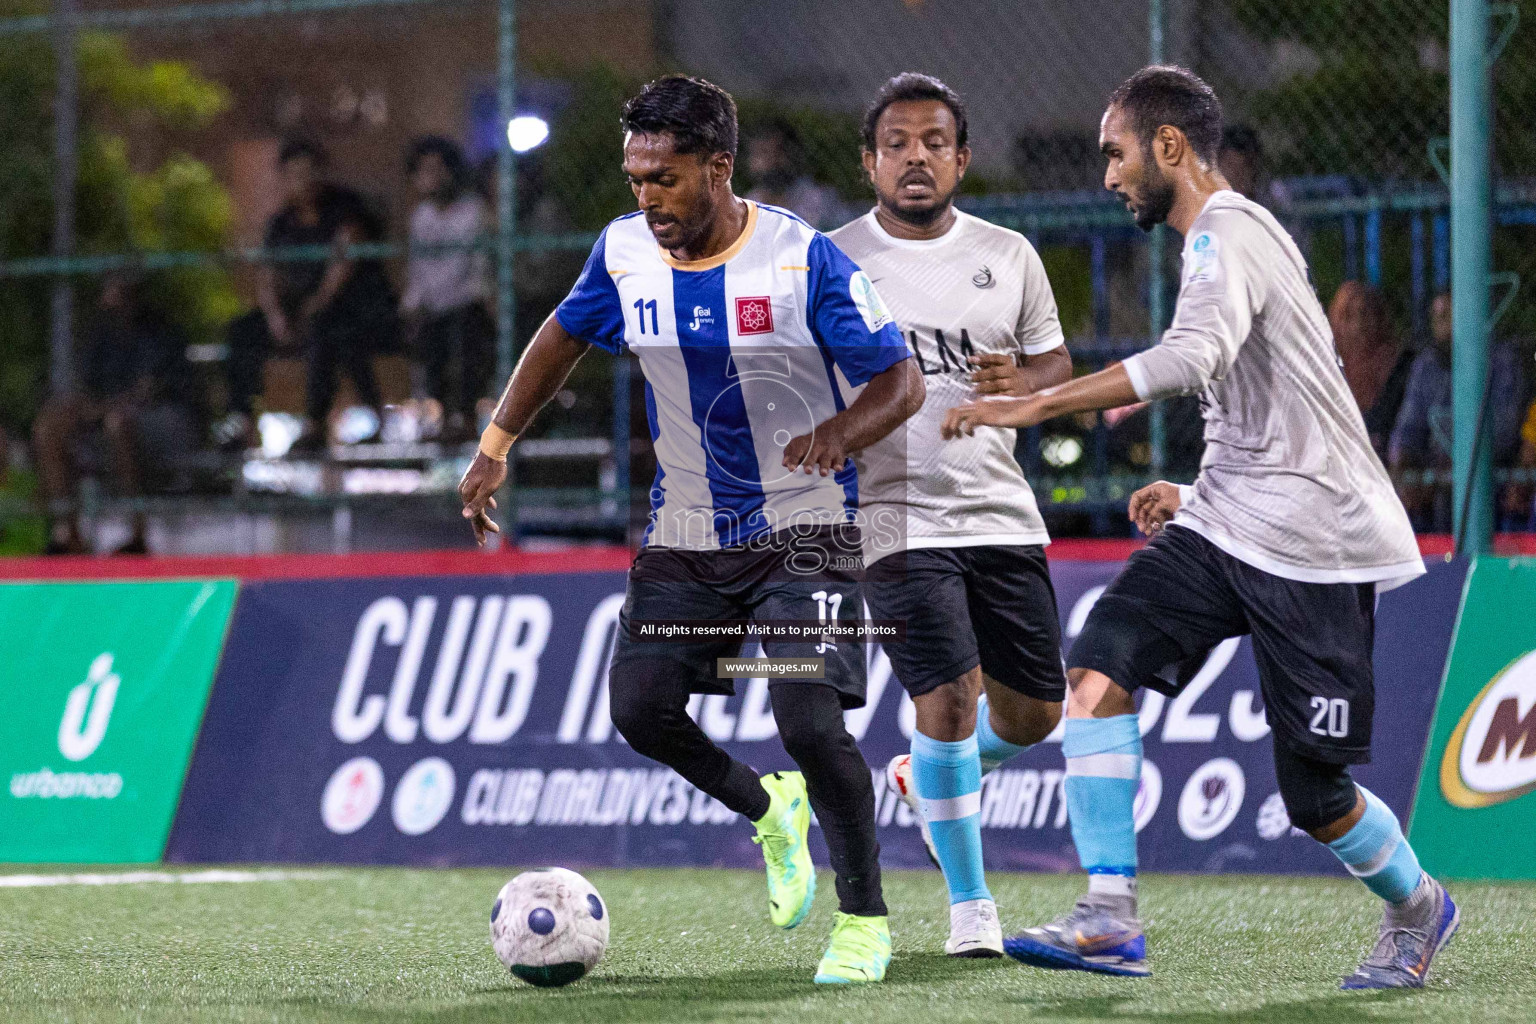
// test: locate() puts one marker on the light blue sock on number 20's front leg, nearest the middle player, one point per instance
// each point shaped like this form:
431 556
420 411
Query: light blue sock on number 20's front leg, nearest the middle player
1104 770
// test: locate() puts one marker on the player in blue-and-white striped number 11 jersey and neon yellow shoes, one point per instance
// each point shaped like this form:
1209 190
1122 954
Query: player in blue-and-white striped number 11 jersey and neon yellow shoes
749 328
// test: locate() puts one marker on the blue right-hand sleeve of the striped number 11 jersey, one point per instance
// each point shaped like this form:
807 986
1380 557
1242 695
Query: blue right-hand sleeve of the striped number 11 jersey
847 317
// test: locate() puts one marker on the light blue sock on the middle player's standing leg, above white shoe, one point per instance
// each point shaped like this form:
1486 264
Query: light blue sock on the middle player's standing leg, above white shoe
948 779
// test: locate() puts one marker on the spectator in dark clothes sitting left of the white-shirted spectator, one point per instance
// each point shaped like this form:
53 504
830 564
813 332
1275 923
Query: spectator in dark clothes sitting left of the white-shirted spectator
339 311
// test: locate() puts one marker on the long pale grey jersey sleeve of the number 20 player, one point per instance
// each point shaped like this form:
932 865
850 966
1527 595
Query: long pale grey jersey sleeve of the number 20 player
1222 291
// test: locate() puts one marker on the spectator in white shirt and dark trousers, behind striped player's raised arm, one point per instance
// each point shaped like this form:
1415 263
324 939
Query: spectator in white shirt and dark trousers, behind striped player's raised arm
445 302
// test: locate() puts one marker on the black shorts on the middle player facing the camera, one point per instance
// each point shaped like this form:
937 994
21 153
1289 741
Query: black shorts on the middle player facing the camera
990 606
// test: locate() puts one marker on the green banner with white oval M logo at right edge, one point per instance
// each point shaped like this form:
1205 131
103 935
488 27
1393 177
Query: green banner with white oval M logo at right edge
1475 816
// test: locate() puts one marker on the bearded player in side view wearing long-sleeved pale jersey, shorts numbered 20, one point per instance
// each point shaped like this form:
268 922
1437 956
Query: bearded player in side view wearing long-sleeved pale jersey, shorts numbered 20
1288 533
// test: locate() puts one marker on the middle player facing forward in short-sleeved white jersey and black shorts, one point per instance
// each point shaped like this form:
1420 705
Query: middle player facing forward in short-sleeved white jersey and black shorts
958 553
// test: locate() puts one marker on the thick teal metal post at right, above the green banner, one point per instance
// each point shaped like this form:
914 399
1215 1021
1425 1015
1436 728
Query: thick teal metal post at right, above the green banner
1472 257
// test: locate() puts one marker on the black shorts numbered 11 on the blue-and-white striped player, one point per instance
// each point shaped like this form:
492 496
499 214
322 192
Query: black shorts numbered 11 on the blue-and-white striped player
804 578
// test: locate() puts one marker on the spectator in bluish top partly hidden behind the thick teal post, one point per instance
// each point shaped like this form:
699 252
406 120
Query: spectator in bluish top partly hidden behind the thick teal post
1422 438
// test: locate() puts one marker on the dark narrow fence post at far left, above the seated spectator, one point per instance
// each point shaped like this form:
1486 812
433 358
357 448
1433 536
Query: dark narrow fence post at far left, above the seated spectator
67 130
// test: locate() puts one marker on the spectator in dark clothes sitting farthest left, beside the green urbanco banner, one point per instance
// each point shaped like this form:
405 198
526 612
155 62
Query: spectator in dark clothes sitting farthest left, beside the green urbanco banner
134 388
